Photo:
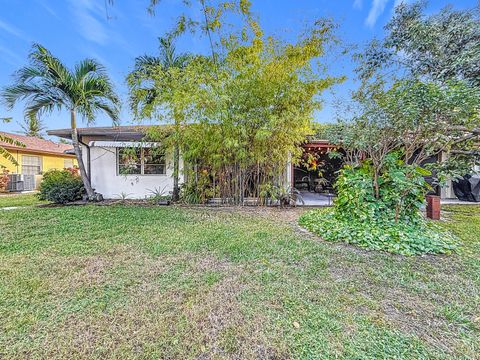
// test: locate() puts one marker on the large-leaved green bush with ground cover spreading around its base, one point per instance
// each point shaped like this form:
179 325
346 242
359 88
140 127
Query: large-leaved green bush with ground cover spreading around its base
385 218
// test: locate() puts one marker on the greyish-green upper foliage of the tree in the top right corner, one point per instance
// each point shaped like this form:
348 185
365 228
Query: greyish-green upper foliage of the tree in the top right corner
440 47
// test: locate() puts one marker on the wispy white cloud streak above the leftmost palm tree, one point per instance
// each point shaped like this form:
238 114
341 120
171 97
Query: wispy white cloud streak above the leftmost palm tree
88 14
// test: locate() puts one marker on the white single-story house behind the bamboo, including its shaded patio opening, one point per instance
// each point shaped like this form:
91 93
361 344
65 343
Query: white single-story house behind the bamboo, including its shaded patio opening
112 173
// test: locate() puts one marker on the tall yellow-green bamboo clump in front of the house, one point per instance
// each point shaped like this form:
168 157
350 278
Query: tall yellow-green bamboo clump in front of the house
248 104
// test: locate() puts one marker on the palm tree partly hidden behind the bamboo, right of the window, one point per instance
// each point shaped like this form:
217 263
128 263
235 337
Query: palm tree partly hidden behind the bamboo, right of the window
145 67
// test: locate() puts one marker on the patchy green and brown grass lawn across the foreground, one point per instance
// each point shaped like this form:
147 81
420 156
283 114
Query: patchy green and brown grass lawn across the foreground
175 283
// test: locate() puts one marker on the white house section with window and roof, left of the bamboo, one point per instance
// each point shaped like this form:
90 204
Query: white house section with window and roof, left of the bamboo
111 172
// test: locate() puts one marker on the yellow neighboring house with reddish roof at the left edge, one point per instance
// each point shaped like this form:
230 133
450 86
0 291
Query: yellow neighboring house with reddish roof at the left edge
37 157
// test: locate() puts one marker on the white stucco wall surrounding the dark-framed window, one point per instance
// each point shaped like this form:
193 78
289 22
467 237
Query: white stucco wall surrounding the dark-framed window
107 182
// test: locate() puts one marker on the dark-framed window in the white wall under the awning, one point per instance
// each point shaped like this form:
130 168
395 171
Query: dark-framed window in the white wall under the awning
141 161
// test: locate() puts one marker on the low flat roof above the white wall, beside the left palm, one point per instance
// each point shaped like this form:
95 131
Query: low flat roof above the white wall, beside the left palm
111 132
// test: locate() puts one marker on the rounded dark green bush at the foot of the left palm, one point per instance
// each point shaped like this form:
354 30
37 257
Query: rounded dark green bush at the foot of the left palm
61 186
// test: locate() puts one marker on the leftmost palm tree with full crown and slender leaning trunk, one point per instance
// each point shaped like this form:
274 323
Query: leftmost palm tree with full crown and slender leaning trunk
47 85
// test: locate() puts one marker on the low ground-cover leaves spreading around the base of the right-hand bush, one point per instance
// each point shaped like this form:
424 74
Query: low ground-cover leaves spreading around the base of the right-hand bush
405 238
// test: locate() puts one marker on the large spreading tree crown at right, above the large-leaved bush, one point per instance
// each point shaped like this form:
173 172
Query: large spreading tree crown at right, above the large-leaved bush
428 66
